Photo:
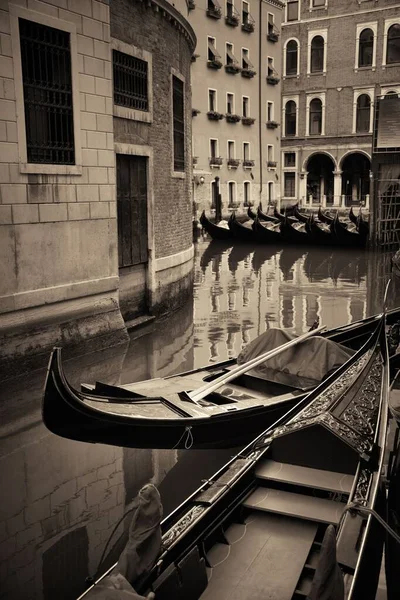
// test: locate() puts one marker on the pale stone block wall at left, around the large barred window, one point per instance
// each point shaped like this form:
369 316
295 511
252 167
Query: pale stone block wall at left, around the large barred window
57 221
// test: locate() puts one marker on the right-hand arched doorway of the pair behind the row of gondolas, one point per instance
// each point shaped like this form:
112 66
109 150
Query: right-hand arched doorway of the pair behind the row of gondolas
355 179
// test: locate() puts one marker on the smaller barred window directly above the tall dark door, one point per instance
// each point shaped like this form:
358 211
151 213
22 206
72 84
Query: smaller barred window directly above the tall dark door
130 81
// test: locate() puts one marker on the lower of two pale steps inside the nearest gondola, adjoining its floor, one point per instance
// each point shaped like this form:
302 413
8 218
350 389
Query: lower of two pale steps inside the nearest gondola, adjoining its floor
290 504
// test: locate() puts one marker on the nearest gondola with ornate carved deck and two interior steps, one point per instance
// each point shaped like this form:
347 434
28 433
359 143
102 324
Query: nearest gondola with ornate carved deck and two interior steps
286 514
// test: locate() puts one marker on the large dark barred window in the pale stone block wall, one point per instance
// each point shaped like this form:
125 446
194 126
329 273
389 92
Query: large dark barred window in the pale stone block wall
47 85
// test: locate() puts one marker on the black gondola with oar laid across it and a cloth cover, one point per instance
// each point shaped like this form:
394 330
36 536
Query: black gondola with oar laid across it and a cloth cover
224 407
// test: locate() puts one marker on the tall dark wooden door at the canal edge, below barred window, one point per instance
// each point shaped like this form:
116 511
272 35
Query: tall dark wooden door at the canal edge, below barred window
132 210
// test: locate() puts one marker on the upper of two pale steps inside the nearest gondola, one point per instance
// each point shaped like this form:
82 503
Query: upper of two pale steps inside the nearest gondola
305 476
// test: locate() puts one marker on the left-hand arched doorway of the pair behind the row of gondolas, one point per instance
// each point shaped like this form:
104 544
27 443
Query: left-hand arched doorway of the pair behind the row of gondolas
320 169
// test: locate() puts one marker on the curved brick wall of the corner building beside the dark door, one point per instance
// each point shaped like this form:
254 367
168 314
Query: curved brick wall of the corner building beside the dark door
152 31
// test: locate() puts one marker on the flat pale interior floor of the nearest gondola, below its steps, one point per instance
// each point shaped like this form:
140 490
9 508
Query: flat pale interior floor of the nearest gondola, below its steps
264 559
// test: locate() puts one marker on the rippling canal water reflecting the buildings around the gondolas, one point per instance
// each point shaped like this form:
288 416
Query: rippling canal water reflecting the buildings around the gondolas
61 500
